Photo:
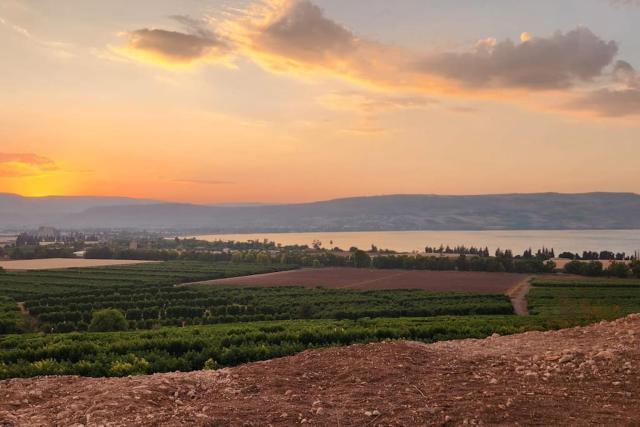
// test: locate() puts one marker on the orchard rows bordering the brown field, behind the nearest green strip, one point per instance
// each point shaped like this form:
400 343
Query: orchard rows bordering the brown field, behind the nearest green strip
64 300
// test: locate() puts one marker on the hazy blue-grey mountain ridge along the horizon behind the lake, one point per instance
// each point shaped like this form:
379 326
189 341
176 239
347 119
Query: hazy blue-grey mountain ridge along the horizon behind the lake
392 212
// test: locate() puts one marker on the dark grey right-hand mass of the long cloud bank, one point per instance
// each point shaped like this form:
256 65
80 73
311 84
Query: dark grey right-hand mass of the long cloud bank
556 62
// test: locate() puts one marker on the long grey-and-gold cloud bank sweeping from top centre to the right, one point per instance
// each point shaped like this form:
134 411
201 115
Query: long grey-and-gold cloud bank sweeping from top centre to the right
296 35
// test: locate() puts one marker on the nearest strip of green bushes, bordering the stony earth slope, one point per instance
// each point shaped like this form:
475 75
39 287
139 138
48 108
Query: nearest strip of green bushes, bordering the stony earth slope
198 347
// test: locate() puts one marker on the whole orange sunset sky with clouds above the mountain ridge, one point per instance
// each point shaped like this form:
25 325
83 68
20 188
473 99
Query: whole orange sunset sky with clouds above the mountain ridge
221 101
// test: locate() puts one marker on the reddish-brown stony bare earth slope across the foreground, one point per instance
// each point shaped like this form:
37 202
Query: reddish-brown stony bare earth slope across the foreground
580 376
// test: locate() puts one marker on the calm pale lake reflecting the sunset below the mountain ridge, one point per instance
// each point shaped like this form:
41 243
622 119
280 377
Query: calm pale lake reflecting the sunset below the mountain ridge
406 241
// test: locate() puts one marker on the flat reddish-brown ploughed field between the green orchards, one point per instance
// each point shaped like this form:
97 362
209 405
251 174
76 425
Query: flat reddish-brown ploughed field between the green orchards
356 278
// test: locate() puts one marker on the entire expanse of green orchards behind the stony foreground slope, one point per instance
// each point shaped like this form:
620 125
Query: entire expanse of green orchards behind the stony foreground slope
183 328
